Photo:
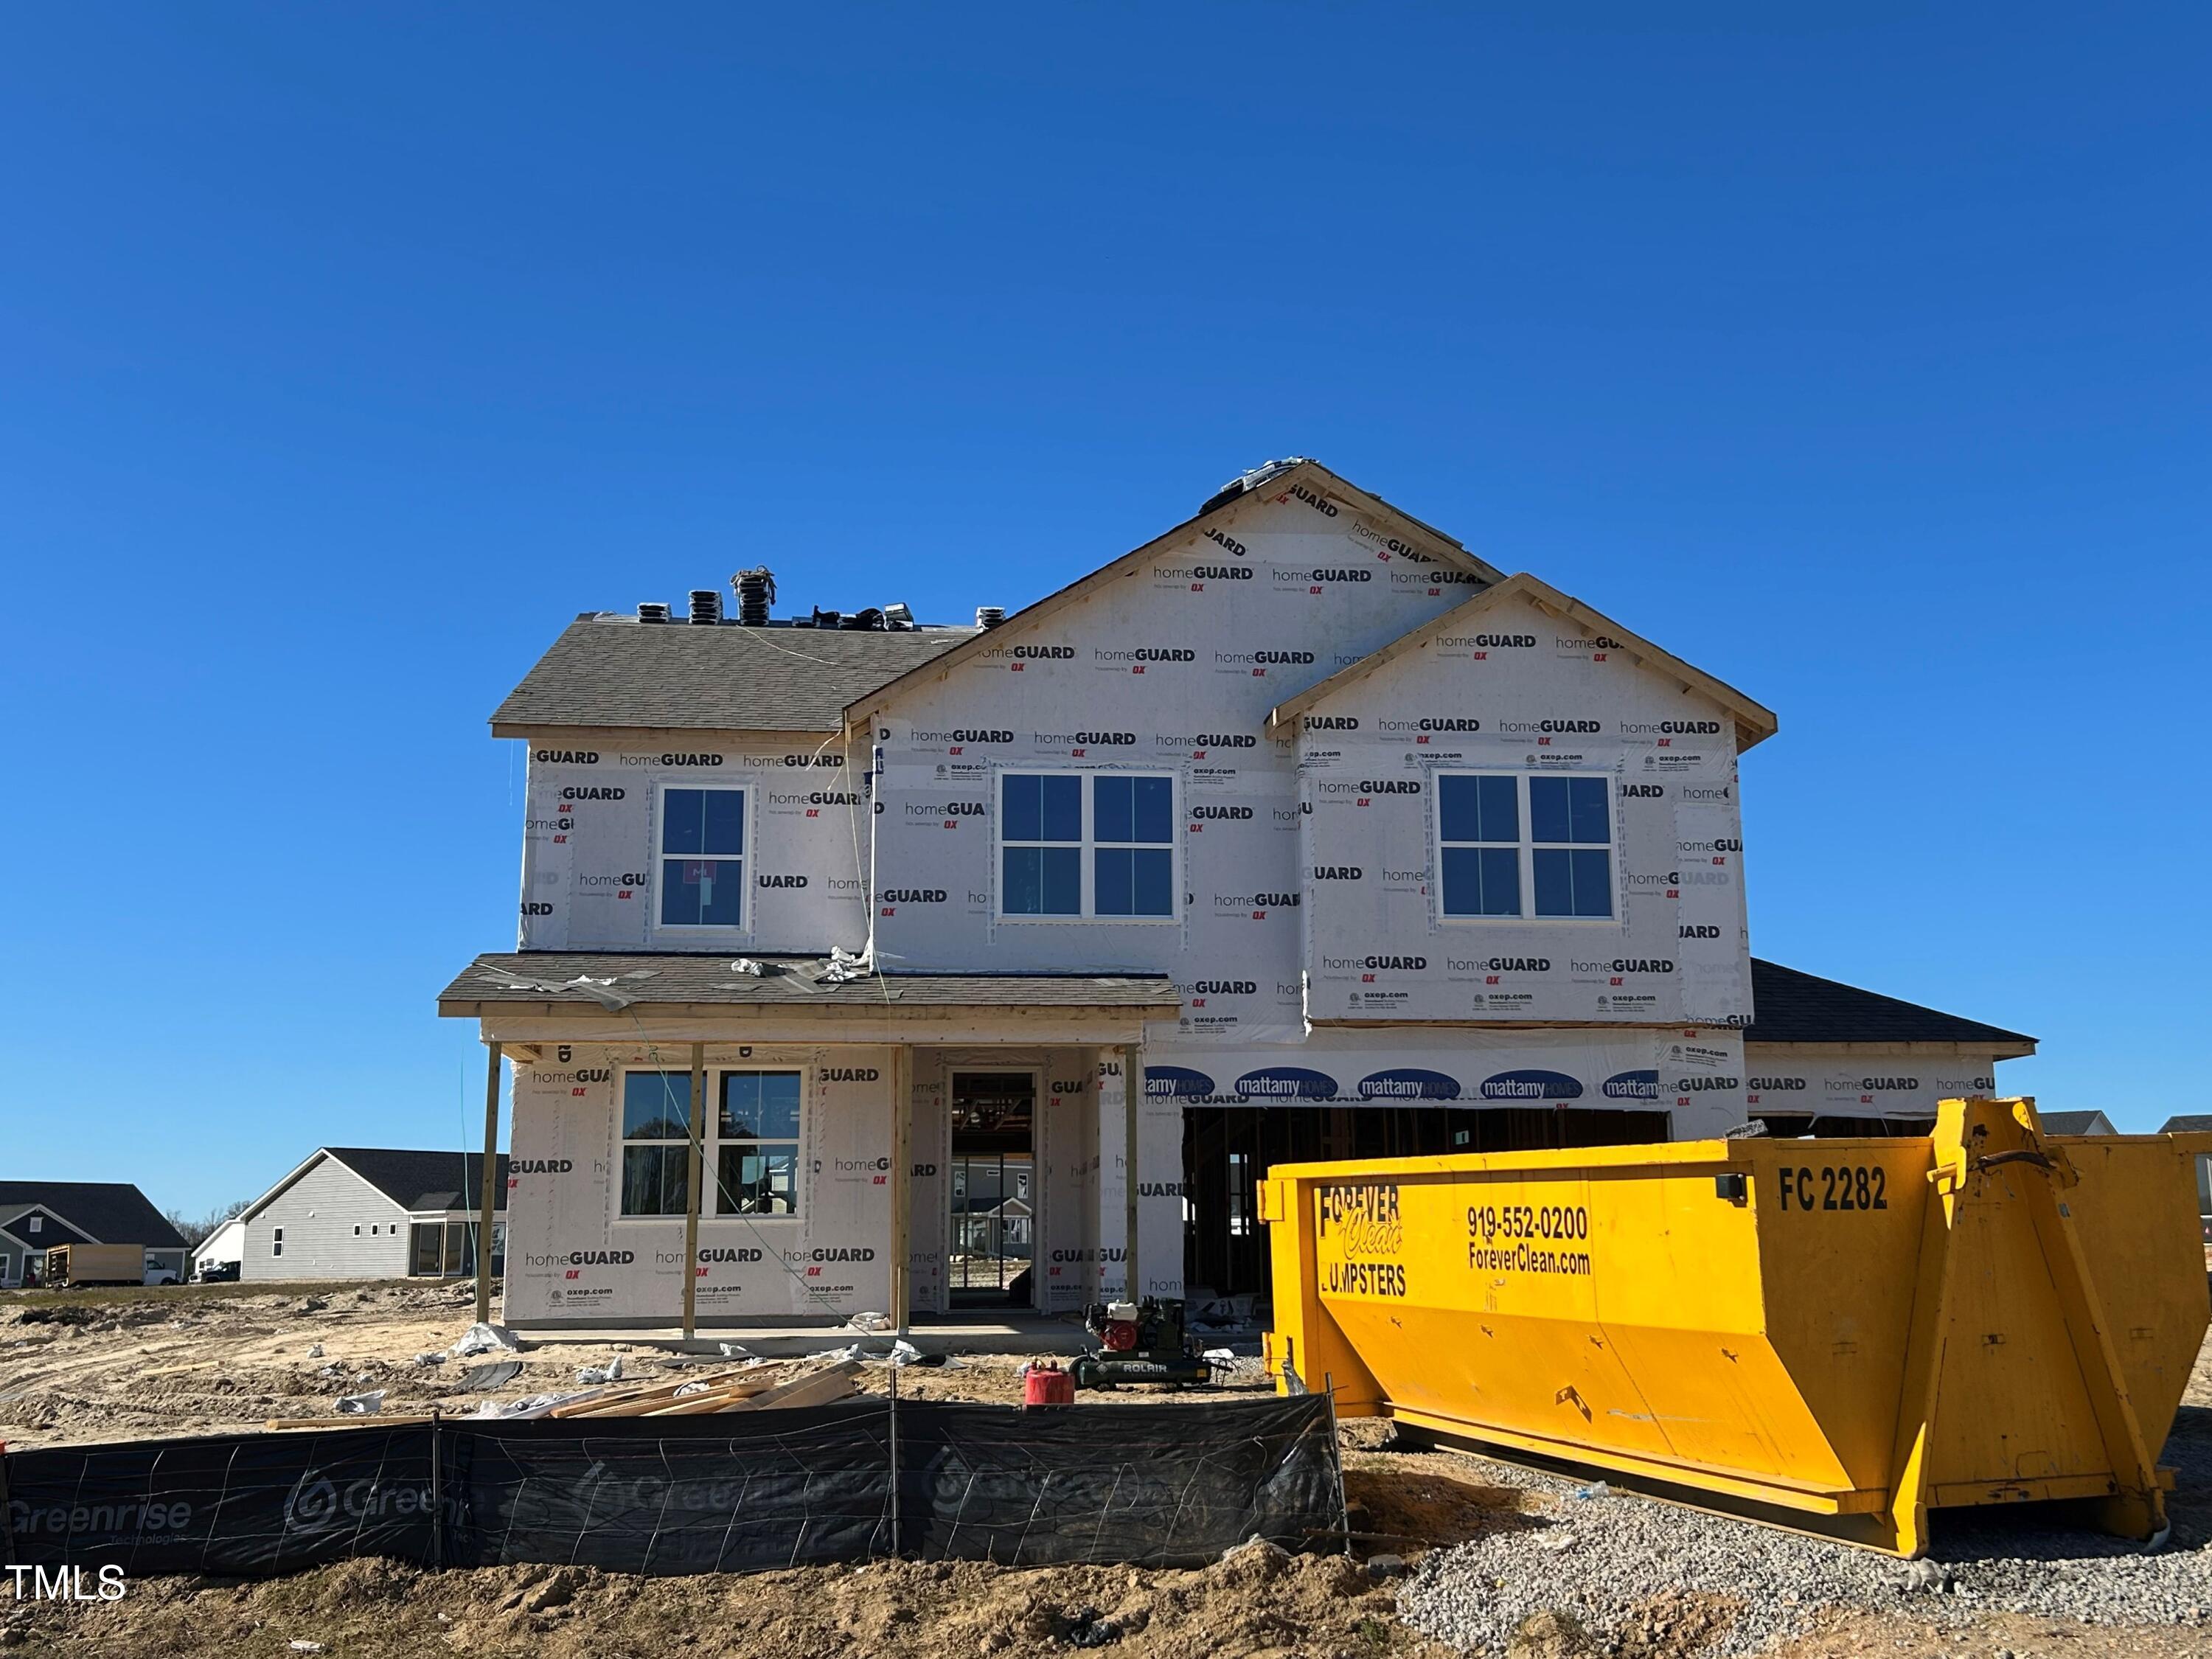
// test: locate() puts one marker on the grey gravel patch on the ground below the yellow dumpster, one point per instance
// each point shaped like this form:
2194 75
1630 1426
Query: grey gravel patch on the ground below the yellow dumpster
1609 1558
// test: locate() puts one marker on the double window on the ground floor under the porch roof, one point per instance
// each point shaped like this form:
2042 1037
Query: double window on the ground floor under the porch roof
751 1145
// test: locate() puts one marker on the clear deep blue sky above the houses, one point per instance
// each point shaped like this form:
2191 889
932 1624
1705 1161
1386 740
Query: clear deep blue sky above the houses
1855 353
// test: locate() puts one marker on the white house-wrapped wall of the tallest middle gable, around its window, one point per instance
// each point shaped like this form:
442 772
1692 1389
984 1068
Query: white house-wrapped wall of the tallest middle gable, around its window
1169 669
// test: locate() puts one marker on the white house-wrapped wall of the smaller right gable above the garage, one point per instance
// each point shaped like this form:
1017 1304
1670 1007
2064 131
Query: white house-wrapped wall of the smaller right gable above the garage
1521 698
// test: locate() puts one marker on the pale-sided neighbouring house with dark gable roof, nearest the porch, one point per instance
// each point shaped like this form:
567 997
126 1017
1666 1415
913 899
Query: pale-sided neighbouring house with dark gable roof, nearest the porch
371 1213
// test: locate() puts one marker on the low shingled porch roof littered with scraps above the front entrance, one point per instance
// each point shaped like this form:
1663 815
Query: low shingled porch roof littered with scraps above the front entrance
550 977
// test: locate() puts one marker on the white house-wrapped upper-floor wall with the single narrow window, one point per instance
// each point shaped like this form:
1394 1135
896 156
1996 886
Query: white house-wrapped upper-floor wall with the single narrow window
596 855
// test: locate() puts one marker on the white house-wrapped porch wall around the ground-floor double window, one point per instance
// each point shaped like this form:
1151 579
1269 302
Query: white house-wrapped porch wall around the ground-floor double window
574 1258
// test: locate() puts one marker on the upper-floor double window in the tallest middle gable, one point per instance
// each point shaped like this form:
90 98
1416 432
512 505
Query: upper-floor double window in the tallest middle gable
1092 846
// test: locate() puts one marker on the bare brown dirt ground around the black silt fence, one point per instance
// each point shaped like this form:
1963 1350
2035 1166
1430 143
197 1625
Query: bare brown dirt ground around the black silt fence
123 1366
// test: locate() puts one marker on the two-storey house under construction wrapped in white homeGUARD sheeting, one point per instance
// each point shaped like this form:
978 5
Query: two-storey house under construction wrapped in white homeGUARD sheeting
1342 837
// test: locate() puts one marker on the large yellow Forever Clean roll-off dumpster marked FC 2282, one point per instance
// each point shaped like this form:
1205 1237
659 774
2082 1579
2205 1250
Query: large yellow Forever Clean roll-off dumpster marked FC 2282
1830 1335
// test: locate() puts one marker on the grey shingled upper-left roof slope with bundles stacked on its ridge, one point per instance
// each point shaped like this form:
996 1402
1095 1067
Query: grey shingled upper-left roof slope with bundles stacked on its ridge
618 671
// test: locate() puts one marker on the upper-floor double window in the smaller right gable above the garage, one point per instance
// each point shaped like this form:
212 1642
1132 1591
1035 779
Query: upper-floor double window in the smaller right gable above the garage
1525 846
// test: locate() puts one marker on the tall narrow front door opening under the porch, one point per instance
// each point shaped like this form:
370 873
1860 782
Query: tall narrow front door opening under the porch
994 1189
